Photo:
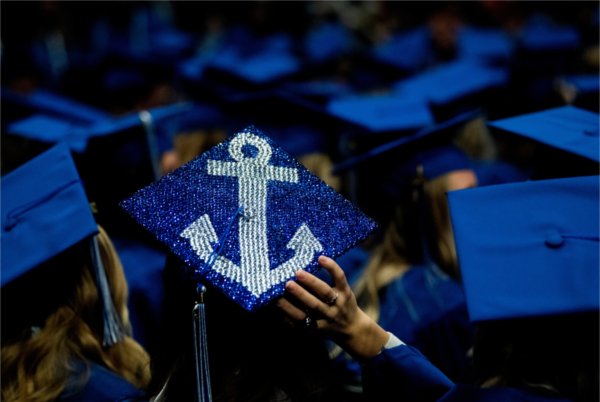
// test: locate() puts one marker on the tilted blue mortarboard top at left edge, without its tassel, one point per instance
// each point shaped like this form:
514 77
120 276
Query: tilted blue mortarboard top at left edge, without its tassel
44 212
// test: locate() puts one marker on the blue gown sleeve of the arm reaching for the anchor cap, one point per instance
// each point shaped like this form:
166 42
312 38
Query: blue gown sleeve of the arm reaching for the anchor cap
403 373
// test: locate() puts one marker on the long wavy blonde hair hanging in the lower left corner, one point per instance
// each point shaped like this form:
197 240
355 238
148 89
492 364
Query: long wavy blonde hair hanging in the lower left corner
38 366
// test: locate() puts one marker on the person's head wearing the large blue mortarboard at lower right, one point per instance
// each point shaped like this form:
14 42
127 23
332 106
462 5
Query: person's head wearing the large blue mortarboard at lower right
529 263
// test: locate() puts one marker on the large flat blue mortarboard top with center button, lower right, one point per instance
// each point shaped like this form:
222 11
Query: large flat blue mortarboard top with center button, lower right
528 249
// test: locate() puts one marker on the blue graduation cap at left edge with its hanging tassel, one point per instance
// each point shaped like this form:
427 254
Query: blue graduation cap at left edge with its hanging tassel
45 212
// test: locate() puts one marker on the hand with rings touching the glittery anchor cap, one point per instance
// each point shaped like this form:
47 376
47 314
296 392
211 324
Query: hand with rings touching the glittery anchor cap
334 310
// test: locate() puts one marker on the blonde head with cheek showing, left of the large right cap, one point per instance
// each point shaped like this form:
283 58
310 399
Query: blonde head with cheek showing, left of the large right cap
420 216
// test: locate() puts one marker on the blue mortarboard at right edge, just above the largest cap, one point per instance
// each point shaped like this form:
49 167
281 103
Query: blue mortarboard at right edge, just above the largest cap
566 128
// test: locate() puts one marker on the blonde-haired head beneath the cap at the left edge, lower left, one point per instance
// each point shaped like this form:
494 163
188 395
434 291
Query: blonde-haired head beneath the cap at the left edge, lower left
70 332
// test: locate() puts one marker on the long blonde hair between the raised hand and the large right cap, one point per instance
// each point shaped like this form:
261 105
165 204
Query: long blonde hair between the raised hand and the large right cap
399 248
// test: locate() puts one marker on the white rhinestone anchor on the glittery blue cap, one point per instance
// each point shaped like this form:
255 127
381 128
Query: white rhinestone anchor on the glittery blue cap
253 173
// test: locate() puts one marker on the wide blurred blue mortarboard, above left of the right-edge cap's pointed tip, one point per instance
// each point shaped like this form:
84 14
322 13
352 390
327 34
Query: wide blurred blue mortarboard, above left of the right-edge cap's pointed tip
449 82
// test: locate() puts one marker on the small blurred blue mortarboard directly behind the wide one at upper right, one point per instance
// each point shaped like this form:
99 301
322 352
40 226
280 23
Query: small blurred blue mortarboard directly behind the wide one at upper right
485 43
